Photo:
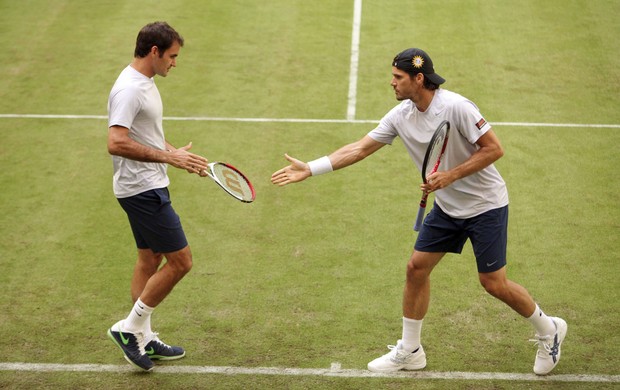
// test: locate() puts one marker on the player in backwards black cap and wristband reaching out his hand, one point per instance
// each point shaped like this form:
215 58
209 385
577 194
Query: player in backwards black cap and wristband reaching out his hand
471 202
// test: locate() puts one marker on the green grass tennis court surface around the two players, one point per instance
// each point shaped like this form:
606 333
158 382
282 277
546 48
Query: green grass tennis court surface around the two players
312 273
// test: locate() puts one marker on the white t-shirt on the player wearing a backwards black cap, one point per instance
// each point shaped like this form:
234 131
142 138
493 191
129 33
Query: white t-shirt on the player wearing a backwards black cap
465 198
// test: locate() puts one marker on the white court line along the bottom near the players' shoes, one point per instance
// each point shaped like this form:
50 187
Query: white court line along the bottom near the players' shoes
334 371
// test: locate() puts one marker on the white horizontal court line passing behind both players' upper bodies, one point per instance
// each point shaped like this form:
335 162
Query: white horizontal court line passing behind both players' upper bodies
298 120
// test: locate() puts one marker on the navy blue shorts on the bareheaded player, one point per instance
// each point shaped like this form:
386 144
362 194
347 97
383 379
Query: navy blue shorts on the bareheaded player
154 223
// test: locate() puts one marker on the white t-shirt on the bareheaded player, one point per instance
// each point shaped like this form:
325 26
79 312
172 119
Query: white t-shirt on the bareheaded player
135 103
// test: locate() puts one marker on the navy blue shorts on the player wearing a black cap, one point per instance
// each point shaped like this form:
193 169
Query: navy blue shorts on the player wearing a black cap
488 233
